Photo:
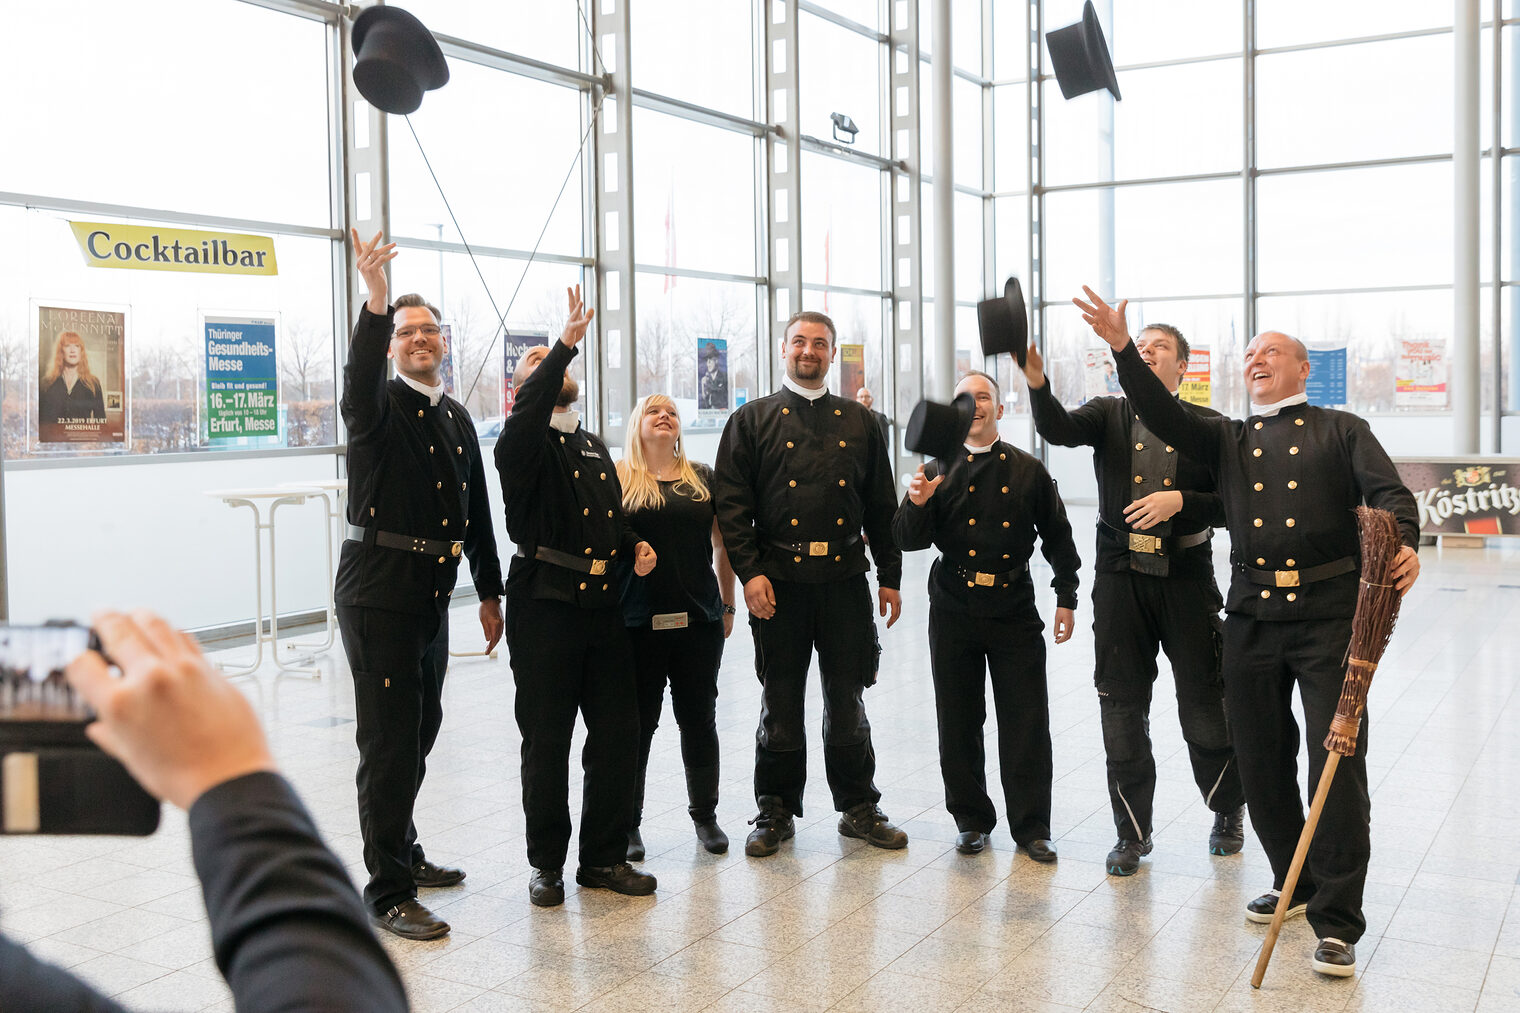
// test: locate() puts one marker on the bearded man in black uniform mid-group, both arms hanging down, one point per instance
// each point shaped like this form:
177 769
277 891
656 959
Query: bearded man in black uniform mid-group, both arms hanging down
799 475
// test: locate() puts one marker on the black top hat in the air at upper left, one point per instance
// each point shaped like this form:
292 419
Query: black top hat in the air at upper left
396 60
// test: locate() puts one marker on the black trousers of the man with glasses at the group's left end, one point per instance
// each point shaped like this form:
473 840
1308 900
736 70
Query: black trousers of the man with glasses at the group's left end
399 662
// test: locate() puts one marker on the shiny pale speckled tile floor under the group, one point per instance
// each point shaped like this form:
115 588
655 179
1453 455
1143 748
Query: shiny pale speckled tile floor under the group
831 924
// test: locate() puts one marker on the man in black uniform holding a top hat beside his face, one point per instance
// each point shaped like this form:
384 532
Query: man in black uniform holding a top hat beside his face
983 618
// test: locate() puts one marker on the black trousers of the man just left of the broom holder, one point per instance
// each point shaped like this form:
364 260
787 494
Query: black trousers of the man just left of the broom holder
1133 617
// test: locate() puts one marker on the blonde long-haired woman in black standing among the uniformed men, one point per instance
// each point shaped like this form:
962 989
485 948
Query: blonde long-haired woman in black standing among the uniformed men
682 612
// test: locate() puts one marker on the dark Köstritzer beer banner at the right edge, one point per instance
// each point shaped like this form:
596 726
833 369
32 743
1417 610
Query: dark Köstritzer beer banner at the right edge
1465 497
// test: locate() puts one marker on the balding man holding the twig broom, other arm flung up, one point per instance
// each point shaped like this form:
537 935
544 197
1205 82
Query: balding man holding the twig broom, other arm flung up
1291 478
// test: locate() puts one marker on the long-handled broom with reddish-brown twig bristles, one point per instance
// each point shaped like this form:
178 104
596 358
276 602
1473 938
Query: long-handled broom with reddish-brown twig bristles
1376 612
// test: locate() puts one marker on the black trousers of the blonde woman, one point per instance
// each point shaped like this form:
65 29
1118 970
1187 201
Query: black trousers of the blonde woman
688 659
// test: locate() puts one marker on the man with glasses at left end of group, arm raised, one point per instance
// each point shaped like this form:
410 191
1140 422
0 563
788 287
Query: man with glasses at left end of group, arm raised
417 487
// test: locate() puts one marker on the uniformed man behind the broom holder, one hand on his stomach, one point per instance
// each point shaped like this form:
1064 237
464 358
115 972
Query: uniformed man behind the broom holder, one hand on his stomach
1154 589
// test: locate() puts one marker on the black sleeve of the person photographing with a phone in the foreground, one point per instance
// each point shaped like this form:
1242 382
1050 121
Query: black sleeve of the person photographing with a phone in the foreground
288 930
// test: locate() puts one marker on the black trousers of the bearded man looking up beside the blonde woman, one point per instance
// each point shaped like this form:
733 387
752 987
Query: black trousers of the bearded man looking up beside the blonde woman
568 661
